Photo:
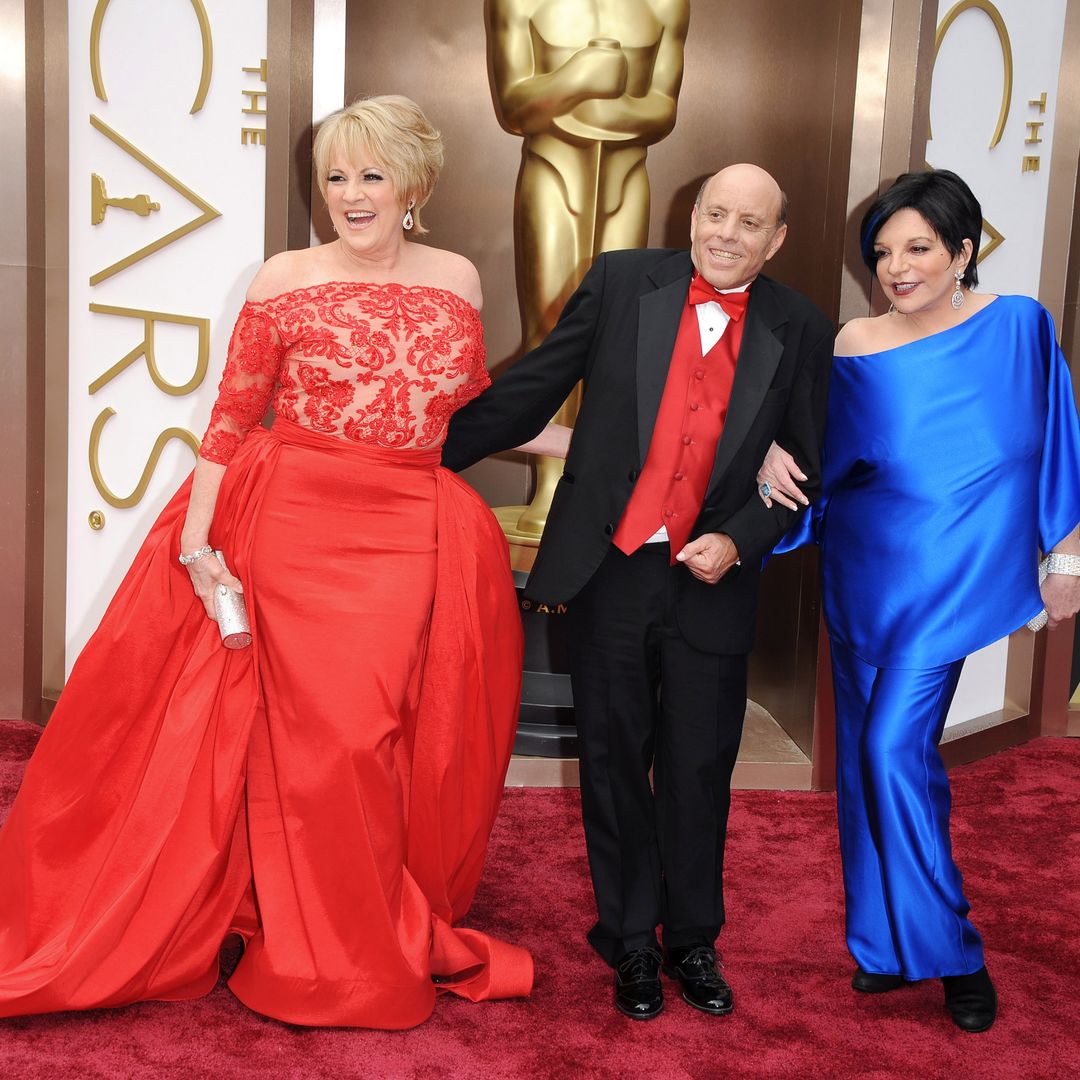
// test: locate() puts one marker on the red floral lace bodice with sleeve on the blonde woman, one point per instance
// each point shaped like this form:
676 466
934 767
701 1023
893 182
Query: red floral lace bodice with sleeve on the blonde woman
384 364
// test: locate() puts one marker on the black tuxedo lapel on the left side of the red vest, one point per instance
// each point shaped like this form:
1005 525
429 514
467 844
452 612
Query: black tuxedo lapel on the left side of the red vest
658 319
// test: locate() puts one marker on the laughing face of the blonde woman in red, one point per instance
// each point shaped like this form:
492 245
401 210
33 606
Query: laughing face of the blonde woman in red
364 208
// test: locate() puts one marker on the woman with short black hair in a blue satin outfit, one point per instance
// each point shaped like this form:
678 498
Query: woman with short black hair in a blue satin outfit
952 461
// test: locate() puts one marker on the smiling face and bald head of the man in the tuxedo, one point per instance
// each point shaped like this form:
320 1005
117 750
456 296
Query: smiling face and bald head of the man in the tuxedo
735 227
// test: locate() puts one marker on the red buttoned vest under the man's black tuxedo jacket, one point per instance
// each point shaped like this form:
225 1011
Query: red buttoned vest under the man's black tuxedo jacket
672 485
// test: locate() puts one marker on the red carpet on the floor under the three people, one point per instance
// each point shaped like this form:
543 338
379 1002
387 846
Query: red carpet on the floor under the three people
1017 830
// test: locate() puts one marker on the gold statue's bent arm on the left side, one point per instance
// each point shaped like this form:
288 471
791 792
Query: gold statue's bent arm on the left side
531 103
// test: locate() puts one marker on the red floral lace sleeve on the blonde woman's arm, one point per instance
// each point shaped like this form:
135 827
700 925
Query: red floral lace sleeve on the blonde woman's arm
252 371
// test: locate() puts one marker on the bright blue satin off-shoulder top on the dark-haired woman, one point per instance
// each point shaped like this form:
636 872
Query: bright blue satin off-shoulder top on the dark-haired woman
949 465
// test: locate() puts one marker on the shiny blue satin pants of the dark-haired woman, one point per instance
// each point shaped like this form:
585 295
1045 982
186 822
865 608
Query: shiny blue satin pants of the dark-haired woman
906 909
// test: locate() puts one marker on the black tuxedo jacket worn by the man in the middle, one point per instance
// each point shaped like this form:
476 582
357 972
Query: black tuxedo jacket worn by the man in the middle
616 335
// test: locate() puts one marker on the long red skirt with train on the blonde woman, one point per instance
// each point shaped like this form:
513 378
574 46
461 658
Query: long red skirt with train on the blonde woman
328 793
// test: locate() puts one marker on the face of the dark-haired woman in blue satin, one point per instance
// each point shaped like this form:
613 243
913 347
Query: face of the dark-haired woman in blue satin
915 269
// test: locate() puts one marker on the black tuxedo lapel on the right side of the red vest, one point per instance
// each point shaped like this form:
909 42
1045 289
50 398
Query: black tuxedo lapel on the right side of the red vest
759 358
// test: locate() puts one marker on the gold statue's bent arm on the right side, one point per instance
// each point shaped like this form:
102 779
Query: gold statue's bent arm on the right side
651 117
